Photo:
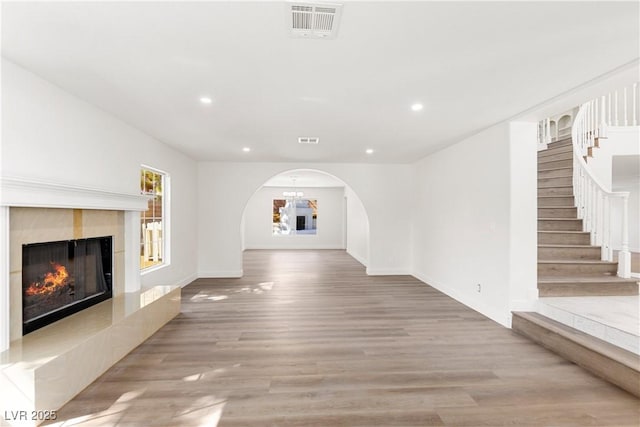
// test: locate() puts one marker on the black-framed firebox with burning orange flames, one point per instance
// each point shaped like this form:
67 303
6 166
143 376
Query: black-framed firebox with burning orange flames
63 277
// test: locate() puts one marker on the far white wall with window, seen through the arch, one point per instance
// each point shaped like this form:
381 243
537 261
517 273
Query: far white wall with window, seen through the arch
258 221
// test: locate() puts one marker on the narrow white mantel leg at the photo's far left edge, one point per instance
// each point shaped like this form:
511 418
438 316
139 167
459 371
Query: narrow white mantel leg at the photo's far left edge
5 297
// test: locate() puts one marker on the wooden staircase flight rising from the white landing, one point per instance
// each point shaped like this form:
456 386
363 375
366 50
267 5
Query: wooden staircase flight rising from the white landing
567 263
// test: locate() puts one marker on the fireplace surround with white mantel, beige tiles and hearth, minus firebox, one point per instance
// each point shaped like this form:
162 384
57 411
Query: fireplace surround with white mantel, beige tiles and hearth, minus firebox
46 368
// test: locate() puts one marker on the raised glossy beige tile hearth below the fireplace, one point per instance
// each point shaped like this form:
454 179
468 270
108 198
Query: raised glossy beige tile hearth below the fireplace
46 368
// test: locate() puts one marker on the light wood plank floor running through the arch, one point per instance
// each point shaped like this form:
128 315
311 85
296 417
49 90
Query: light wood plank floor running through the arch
307 339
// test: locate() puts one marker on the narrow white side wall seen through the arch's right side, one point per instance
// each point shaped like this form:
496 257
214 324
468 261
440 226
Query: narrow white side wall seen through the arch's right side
357 228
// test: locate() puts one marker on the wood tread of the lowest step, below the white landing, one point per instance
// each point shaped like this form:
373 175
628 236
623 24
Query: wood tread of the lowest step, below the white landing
617 354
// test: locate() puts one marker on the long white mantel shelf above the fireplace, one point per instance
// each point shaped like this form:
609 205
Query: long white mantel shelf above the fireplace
20 192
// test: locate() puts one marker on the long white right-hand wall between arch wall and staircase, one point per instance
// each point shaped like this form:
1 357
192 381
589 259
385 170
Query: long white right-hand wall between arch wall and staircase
466 229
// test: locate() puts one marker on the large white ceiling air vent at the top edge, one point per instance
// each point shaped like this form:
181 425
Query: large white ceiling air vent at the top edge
319 21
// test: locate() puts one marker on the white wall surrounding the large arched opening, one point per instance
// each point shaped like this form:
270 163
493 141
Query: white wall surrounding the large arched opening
225 188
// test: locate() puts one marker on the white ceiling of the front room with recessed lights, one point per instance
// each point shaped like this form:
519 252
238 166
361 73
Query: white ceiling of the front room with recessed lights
471 64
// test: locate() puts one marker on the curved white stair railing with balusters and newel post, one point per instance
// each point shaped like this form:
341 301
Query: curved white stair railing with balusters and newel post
593 200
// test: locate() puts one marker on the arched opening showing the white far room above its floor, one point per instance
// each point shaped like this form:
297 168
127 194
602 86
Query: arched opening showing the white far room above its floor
306 209
